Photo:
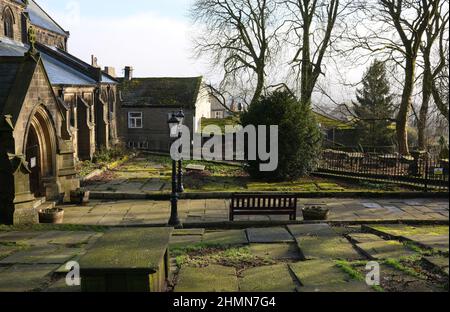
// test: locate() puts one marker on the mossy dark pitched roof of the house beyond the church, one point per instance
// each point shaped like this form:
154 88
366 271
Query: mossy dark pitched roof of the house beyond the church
179 92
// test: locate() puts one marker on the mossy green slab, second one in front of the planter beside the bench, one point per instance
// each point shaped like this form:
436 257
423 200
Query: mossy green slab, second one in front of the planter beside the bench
313 247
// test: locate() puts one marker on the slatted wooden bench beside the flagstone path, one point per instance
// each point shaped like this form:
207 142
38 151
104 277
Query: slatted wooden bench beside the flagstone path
258 204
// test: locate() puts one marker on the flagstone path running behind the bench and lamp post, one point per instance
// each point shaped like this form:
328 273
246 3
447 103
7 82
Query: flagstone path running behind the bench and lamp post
141 212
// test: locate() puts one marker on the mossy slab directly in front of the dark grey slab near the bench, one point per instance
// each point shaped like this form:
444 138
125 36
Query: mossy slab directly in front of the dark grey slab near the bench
276 251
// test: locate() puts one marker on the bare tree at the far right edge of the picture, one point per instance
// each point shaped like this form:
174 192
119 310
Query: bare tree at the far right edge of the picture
435 32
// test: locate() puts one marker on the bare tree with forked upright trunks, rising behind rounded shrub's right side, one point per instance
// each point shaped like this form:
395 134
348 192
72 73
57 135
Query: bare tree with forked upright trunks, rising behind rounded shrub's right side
312 24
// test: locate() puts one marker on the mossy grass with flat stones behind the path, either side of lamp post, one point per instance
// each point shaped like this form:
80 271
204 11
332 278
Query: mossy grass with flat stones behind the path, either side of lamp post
218 177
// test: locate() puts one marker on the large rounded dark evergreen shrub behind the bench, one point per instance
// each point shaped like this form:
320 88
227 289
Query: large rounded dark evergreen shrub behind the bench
299 140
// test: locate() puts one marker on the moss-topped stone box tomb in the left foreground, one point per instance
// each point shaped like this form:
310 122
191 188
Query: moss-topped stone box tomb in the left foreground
127 260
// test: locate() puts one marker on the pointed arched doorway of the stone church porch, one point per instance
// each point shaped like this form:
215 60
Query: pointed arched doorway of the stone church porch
40 151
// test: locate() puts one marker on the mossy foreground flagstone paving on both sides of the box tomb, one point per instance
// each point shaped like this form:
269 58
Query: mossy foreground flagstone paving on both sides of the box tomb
275 265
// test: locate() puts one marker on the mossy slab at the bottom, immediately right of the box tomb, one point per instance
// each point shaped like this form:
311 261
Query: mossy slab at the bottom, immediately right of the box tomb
213 278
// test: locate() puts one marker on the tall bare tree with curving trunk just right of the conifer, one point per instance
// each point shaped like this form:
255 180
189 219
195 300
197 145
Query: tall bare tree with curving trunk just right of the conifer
395 29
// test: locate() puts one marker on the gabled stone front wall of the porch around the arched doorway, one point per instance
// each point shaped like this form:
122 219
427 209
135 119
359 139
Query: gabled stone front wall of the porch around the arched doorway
41 112
